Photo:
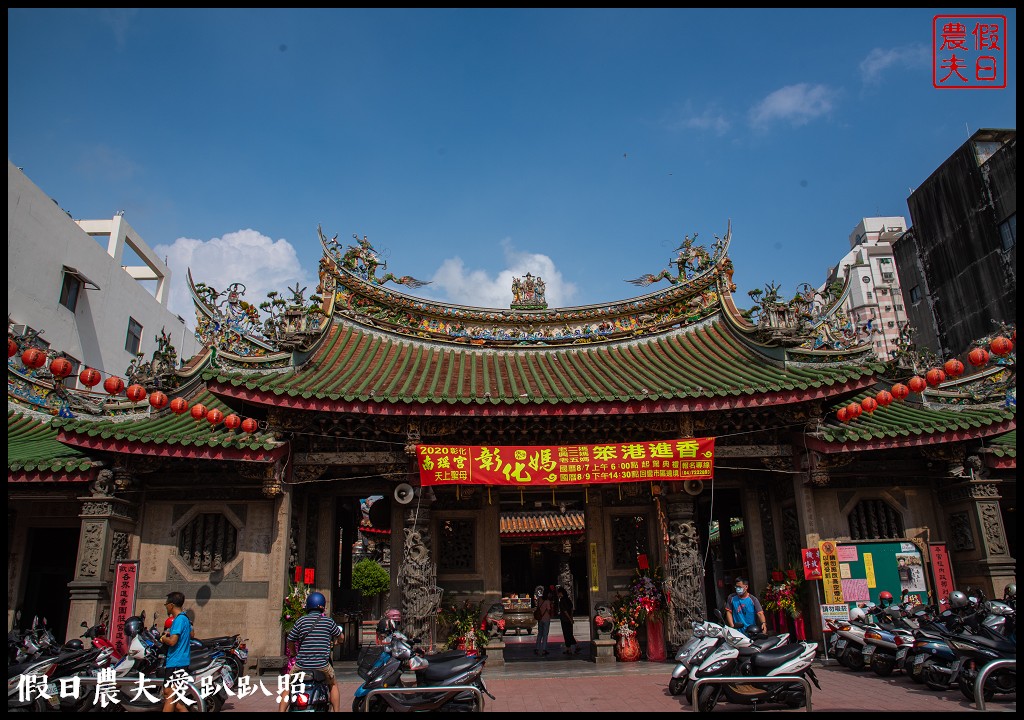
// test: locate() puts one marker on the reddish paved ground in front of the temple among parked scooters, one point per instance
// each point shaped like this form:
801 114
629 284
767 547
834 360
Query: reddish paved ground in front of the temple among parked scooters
558 684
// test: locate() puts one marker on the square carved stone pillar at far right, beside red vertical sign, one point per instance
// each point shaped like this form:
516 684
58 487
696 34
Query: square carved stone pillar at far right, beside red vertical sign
976 538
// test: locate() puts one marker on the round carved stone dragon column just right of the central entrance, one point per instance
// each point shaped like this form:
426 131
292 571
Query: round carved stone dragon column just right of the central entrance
685 576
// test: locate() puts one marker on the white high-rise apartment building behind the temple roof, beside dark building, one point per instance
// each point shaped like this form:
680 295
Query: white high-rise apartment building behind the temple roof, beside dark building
875 304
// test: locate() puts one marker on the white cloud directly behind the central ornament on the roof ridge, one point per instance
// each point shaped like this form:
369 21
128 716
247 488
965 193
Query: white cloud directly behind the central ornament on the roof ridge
478 288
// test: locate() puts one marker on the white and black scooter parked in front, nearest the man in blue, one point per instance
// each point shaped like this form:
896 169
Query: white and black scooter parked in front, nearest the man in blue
726 661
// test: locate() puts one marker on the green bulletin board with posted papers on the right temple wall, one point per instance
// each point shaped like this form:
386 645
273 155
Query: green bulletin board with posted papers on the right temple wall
869 568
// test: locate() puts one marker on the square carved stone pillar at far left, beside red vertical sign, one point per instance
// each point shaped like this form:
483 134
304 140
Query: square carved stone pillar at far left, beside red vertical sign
108 531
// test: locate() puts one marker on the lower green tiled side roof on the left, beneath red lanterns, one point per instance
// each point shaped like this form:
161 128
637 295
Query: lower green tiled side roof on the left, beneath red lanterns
170 430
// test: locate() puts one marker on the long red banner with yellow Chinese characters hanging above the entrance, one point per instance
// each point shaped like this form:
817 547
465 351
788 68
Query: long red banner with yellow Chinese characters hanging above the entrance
541 467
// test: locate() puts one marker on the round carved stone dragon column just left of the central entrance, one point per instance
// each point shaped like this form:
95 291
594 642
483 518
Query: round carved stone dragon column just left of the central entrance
419 596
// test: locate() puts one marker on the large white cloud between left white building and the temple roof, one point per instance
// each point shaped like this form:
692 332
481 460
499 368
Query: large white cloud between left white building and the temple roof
246 257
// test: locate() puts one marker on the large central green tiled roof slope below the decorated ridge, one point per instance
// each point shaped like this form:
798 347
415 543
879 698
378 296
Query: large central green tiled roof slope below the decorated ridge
703 363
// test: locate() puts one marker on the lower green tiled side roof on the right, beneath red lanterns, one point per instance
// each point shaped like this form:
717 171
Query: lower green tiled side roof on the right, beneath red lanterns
909 420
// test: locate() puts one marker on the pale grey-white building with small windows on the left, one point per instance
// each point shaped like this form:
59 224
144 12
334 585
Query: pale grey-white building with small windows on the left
72 281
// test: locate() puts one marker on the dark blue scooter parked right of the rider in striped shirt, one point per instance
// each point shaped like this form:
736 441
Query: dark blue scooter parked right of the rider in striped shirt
454 668
